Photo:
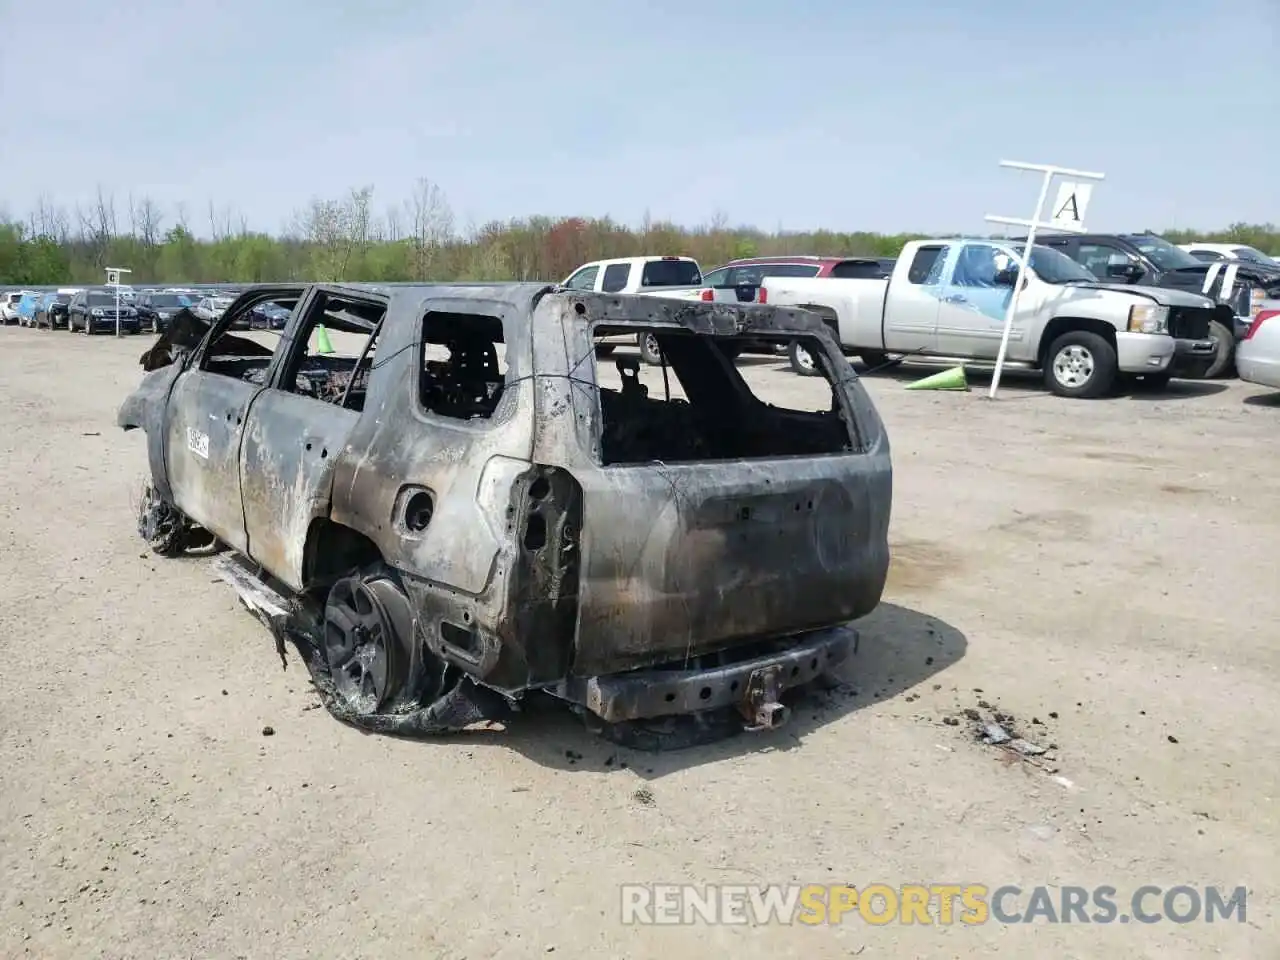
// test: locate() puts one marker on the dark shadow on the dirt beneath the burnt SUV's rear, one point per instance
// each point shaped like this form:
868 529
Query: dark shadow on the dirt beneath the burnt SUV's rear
899 648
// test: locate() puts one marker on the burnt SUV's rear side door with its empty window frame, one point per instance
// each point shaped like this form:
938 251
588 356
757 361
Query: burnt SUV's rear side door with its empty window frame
291 447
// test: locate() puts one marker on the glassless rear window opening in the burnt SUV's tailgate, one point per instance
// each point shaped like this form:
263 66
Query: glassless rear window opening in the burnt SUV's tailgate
700 408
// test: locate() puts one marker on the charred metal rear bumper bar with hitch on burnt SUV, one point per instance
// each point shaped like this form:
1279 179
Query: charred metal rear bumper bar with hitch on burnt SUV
647 694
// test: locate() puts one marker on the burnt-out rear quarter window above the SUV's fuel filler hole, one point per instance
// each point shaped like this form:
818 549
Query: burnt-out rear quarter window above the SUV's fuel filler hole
464 369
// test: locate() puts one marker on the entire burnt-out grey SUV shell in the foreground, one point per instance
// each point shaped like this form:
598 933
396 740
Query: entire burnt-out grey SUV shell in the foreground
465 499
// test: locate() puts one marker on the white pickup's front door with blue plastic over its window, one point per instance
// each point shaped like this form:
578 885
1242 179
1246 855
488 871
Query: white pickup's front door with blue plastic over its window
972 316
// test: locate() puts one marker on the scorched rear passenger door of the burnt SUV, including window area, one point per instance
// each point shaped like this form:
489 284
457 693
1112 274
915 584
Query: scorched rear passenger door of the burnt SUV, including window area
294 438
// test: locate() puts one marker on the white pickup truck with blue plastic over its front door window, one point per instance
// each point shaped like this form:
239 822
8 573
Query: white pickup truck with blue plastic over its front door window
949 298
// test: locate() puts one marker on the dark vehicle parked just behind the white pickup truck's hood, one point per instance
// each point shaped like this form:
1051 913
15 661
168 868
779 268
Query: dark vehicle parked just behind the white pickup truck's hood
1150 260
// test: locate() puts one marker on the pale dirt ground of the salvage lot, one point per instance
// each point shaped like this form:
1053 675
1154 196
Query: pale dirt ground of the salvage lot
1100 568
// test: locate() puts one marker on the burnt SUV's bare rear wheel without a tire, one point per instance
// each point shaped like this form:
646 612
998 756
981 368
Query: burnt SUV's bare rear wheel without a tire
368 630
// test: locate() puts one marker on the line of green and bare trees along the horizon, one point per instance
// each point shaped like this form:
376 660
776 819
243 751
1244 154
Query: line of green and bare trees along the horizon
351 239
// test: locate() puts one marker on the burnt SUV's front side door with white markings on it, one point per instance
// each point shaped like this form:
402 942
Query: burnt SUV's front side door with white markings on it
204 427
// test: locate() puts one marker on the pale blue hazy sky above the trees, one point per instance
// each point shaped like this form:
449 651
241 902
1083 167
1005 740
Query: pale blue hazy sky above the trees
847 116
